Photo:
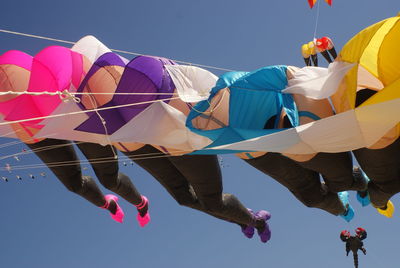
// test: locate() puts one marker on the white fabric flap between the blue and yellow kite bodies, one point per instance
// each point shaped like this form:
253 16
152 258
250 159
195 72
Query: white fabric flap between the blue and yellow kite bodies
317 82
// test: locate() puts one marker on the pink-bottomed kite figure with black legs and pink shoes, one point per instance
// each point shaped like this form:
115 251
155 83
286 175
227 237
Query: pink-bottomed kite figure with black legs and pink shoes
22 72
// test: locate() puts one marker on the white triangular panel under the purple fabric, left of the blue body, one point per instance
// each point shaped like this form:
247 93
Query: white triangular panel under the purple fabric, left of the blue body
160 124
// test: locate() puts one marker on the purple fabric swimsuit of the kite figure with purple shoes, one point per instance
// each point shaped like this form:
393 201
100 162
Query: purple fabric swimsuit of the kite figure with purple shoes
144 74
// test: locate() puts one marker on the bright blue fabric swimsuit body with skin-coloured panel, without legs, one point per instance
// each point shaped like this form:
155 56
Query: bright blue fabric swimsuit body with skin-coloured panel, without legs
240 105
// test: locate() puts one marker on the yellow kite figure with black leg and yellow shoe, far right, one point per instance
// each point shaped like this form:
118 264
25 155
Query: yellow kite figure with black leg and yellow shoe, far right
373 84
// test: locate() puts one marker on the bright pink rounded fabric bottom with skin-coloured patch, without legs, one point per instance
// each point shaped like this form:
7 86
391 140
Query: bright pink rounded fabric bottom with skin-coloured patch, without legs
53 69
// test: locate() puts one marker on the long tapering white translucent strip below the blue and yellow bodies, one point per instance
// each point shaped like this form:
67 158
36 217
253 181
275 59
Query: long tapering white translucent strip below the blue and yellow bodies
343 132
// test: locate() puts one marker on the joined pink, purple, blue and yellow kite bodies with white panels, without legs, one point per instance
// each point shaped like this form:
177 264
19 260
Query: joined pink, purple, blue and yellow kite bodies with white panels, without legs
152 100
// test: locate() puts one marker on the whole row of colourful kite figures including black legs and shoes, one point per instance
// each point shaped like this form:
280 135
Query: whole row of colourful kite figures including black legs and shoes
172 120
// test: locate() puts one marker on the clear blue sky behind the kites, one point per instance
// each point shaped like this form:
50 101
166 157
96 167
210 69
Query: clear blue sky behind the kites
43 225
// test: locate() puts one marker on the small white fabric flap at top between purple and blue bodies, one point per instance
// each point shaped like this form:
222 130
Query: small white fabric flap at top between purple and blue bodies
192 83
